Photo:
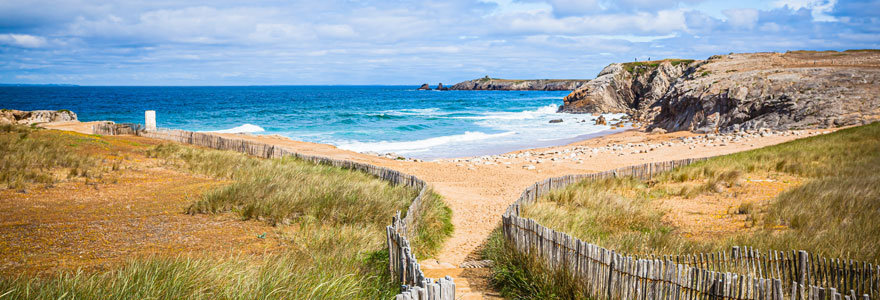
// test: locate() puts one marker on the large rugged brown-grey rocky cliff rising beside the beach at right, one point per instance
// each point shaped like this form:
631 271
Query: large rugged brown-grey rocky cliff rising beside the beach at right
794 90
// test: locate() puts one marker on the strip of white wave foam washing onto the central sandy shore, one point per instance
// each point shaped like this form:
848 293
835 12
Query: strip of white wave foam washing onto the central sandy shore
421 145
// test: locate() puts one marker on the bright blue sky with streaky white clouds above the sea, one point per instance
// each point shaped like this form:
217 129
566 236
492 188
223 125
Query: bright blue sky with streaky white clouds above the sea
398 42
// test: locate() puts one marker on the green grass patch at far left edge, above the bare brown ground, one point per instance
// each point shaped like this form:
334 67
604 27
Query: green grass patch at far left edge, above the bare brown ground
29 156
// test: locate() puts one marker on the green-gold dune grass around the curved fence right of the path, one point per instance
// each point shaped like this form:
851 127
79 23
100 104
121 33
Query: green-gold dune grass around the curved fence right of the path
835 212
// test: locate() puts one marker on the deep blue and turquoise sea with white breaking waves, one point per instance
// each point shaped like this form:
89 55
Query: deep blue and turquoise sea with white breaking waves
397 119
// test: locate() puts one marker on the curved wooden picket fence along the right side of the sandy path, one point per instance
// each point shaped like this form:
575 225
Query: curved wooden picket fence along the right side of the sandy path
744 273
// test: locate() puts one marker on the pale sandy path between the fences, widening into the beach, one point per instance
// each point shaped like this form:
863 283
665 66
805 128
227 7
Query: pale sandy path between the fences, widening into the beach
478 193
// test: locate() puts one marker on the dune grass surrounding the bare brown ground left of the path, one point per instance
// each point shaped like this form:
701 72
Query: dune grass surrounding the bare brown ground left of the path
332 221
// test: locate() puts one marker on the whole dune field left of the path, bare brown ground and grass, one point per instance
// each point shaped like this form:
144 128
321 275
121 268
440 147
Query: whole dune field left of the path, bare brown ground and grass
122 231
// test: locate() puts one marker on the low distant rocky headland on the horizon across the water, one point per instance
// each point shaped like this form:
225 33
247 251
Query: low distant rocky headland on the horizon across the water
520 85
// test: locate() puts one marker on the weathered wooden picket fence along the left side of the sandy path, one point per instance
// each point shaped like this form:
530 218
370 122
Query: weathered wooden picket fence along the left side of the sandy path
402 263
